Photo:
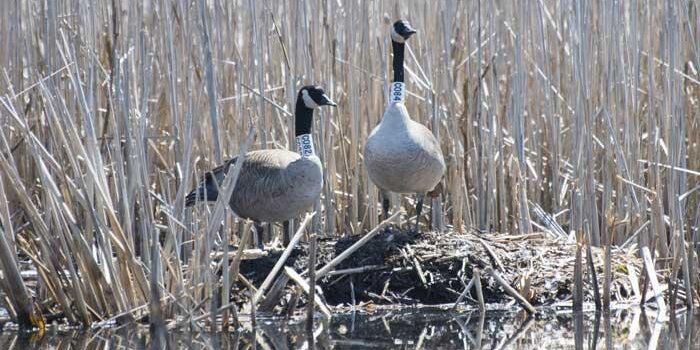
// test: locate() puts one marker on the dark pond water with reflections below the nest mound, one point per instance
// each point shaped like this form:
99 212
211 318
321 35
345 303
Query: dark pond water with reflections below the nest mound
416 329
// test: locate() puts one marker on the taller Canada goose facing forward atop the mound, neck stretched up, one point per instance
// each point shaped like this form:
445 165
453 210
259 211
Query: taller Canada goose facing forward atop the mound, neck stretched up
402 155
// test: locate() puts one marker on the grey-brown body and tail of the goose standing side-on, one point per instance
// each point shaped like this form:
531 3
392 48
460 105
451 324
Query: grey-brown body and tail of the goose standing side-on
273 185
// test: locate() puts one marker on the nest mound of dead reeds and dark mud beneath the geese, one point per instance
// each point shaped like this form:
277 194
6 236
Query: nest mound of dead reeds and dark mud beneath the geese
407 268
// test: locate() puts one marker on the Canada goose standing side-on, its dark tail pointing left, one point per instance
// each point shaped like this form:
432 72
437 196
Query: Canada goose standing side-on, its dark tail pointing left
274 184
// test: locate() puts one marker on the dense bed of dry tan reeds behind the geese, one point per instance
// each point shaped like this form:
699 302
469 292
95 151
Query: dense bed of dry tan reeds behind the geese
580 118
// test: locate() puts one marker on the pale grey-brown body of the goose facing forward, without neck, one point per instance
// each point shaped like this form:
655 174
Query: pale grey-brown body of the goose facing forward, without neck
402 155
